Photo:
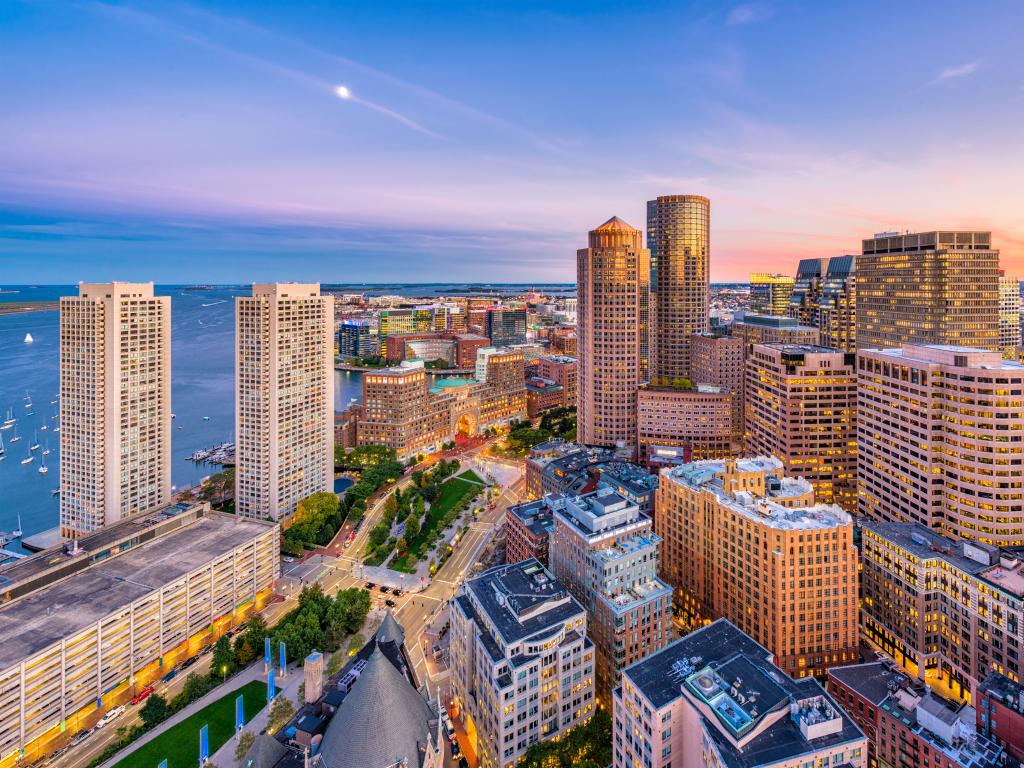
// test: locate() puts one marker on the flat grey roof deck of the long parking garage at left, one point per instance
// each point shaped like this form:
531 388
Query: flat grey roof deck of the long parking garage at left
46 617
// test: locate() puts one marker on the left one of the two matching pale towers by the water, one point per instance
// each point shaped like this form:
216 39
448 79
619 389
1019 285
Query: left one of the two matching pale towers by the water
115 405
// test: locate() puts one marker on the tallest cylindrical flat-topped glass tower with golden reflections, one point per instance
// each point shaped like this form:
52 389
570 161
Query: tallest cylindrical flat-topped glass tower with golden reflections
678 238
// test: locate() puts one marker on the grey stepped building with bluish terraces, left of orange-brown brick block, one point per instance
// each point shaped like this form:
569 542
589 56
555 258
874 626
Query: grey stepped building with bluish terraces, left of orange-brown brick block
604 550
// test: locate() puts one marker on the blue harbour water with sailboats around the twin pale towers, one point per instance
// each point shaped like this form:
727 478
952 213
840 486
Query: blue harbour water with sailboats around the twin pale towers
203 386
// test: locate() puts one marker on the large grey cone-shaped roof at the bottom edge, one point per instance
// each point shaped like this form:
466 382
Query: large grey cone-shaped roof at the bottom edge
383 721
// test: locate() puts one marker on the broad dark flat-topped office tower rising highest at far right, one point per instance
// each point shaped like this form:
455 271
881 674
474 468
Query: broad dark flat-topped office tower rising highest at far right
928 288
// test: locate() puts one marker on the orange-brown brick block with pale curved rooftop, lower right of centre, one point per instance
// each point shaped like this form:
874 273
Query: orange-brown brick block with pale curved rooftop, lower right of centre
744 542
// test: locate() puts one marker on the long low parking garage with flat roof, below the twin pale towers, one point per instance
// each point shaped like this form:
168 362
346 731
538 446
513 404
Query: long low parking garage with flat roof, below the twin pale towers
86 627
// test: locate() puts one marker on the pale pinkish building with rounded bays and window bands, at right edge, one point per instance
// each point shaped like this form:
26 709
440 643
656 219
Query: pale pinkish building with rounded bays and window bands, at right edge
941 440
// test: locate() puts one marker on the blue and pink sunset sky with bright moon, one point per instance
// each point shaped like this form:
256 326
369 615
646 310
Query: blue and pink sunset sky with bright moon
452 142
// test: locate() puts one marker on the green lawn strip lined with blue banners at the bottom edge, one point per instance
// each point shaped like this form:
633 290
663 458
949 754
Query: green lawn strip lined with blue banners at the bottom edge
181 744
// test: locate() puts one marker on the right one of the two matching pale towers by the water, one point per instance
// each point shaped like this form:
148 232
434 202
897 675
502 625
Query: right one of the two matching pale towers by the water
284 401
